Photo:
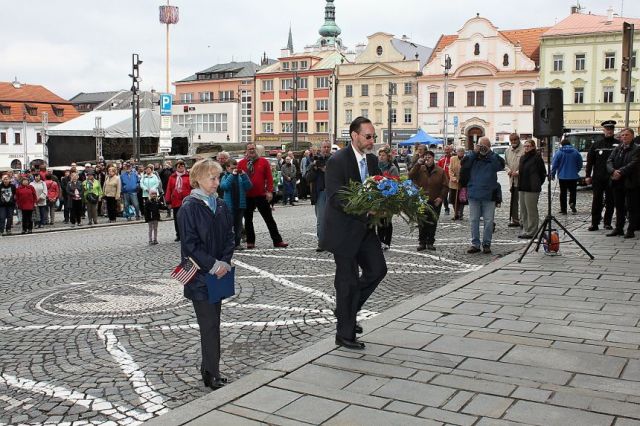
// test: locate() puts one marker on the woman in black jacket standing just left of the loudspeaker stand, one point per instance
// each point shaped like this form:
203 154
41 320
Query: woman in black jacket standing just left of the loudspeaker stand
531 176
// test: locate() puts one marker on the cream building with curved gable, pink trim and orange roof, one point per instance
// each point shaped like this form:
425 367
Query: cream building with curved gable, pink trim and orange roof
490 83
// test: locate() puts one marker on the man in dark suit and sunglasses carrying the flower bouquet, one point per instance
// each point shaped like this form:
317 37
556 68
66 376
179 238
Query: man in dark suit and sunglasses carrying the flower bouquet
350 238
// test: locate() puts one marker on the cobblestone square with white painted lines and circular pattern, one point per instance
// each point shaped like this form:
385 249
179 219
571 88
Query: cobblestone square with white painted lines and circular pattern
95 332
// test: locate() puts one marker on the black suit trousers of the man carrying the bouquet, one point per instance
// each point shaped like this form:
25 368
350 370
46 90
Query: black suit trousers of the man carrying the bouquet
352 289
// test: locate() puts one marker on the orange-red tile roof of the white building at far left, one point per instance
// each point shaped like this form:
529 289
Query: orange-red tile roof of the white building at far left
35 96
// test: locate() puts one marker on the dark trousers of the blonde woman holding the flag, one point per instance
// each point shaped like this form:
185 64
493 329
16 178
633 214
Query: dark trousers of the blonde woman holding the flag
208 316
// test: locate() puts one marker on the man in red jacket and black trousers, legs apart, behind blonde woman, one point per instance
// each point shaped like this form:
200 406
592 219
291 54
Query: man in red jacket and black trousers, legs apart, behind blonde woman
259 171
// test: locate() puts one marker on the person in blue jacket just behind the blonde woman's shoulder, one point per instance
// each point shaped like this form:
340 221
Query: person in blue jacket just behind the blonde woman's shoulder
235 184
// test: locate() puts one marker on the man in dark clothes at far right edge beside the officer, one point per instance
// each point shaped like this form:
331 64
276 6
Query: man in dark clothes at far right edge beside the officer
623 165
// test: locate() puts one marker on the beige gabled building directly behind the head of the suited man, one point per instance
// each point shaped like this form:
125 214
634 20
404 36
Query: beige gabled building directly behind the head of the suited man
383 72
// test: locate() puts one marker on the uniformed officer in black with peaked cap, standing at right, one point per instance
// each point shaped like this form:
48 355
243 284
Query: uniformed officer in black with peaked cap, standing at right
598 177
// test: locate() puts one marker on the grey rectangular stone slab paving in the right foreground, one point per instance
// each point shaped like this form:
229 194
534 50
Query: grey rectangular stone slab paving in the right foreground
553 340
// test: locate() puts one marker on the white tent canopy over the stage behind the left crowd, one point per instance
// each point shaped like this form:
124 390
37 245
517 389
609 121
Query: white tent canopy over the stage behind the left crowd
116 124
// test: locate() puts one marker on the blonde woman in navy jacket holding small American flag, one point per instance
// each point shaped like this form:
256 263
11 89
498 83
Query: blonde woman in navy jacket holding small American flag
206 229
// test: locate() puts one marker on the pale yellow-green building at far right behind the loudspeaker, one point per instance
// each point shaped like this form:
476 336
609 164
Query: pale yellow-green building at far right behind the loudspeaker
582 55
